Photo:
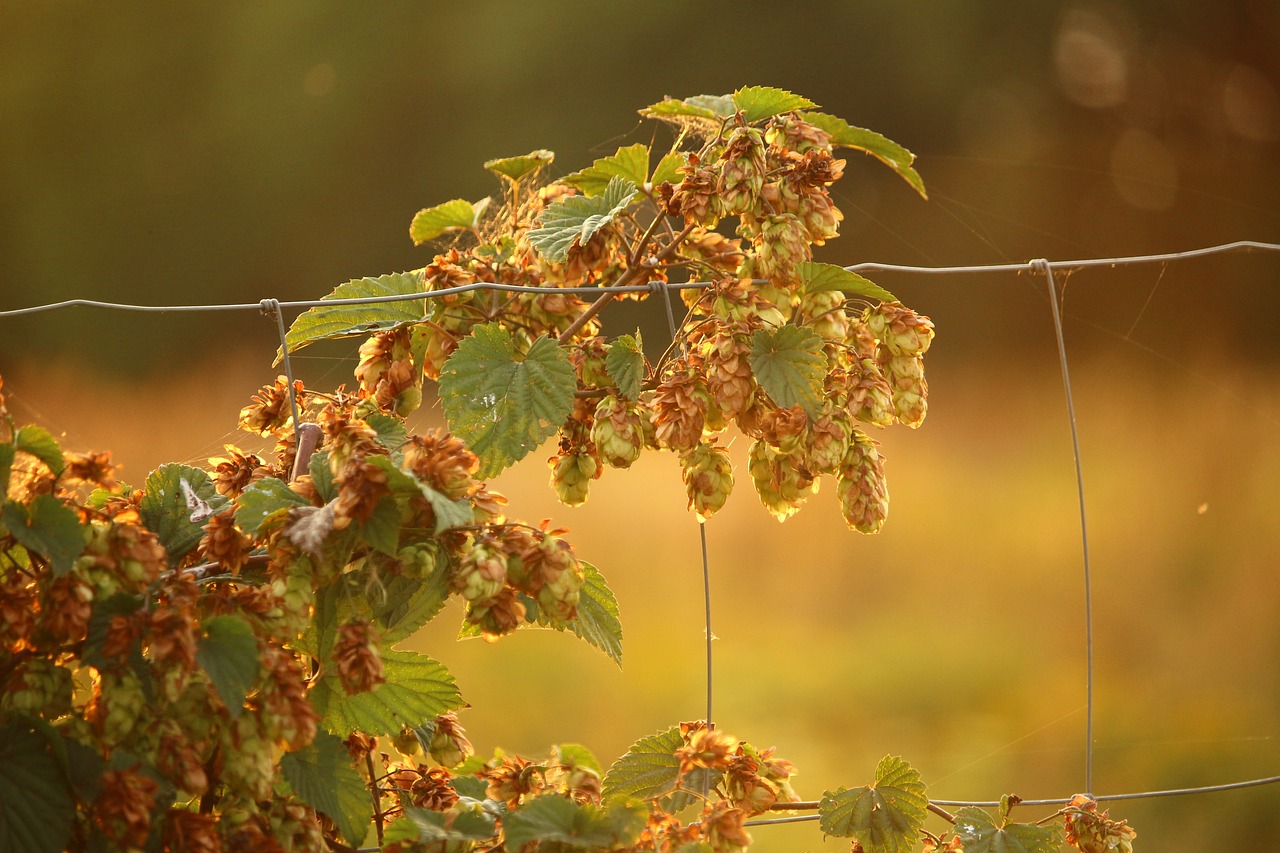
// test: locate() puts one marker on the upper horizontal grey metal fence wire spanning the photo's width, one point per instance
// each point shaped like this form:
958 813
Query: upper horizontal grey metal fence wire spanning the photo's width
1242 245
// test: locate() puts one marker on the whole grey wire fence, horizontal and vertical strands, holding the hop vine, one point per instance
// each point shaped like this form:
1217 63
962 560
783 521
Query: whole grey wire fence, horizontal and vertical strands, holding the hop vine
272 308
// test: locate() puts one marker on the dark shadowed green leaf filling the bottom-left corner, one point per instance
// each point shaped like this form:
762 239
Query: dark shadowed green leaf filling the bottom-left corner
36 809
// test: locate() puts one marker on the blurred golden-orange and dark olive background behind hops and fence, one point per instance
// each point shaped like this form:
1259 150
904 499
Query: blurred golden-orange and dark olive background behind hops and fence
227 153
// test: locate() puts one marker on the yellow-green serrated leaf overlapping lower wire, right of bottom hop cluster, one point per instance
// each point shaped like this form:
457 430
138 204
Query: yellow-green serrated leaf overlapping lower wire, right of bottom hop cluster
885 816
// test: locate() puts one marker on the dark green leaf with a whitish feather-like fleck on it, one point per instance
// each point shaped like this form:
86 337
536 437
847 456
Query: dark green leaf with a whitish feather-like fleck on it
177 501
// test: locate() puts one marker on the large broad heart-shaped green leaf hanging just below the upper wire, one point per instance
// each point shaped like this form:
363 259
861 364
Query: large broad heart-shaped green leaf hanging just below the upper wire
501 404
